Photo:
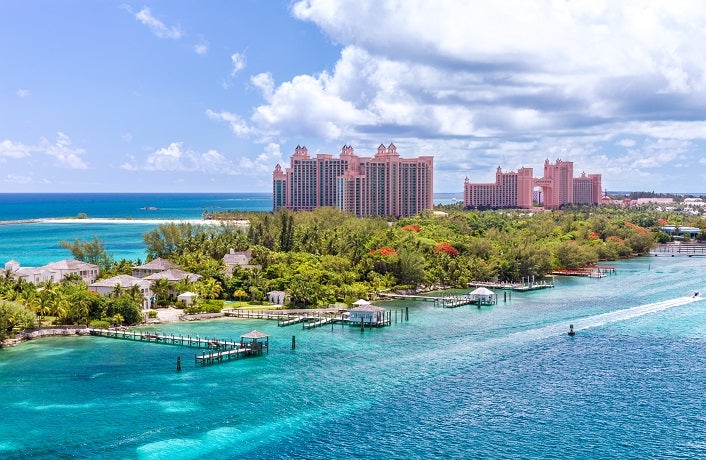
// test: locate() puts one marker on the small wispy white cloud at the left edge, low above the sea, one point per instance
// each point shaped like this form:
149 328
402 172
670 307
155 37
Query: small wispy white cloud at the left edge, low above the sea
62 150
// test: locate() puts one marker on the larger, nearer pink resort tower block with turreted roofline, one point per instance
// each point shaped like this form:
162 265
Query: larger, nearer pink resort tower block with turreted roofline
381 185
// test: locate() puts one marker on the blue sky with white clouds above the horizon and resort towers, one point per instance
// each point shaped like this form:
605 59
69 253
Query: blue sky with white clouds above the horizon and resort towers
184 96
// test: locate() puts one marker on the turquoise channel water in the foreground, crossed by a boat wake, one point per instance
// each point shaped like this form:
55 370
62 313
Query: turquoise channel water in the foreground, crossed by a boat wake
500 382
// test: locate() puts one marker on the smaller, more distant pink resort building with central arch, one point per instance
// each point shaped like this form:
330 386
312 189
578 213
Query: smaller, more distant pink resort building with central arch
520 189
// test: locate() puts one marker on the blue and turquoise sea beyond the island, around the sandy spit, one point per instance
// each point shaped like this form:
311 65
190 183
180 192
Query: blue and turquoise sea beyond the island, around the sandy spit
35 244
